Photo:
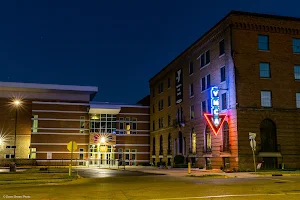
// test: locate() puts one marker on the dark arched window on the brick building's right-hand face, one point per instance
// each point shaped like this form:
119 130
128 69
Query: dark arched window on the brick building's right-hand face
268 136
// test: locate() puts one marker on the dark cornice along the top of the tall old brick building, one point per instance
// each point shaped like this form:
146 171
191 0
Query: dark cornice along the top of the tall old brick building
233 12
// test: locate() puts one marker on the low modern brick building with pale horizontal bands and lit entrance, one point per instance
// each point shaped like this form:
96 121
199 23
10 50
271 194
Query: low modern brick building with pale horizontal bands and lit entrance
39 120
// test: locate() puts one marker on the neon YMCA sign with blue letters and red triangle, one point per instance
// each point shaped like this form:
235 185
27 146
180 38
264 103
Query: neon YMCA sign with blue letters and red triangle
214 119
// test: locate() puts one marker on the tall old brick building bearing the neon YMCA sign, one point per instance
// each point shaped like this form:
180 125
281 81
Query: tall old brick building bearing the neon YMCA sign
246 67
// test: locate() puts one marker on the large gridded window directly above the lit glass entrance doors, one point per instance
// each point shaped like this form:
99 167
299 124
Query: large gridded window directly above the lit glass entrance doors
104 123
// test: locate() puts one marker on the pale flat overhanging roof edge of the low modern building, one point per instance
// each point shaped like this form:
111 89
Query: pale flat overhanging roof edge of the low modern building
91 89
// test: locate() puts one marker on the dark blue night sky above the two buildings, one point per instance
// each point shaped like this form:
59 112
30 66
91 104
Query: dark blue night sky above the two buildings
115 45
